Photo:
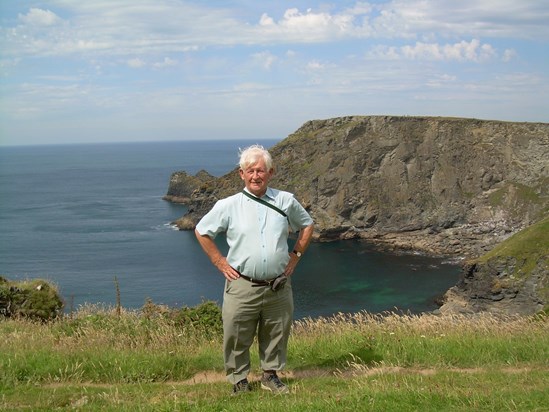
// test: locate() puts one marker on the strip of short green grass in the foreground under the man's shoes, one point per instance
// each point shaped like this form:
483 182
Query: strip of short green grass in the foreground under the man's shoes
386 391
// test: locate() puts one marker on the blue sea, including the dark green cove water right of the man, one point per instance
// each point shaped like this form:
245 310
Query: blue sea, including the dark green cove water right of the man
90 218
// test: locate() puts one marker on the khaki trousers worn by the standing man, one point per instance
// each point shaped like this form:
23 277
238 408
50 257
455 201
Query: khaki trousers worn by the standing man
249 309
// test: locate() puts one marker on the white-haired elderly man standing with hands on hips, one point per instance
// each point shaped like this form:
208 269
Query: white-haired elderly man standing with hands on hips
258 293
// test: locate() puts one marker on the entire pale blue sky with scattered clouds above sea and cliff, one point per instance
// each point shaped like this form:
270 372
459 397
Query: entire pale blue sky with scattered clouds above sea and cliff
144 70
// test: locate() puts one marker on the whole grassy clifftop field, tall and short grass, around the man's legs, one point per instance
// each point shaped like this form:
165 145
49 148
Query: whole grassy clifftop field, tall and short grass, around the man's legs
102 359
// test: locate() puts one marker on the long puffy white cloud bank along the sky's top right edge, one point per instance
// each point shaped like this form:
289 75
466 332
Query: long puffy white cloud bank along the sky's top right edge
427 19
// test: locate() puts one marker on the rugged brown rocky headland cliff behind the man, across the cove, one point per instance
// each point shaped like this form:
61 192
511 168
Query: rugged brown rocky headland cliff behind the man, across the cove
439 185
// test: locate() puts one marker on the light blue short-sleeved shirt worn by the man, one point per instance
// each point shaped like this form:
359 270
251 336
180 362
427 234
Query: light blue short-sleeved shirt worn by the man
257 235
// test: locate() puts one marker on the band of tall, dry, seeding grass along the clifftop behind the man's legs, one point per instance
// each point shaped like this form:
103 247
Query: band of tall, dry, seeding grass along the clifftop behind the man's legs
153 346
